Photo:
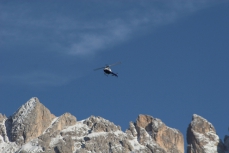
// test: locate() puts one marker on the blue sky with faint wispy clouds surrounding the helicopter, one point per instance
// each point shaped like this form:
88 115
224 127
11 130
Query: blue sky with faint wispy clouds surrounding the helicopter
174 59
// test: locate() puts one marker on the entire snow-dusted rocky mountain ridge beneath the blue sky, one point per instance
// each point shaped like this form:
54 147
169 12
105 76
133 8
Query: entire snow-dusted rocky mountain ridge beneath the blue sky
33 128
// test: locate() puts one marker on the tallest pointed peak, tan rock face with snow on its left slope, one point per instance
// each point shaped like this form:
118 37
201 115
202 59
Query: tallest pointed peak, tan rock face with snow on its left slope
30 121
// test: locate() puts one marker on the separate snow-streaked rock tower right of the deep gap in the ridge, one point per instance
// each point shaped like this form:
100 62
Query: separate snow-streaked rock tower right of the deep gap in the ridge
202 137
